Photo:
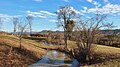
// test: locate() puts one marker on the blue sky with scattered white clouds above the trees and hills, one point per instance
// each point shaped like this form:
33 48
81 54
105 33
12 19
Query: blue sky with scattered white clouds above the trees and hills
44 14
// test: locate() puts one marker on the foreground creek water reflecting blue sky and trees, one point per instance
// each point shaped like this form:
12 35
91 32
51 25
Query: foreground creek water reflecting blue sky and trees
55 58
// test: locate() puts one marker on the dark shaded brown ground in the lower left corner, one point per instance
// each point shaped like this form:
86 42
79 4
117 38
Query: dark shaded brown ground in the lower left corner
14 56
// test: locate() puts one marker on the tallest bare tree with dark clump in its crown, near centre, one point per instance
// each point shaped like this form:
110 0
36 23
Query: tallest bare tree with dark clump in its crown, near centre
65 16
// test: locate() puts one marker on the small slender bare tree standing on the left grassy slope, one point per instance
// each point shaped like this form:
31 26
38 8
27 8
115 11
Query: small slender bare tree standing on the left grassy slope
21 29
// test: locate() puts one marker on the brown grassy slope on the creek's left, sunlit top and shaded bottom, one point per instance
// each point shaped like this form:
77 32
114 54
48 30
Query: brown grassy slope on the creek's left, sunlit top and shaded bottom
29 54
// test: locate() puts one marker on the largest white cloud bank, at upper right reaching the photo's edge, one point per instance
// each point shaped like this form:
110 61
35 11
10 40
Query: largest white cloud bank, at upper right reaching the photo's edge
111 9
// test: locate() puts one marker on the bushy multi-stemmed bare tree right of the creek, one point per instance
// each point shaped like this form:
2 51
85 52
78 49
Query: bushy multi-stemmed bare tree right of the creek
85 35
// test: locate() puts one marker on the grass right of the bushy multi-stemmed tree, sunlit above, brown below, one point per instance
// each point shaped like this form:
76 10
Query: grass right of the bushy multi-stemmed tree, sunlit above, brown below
110 57
